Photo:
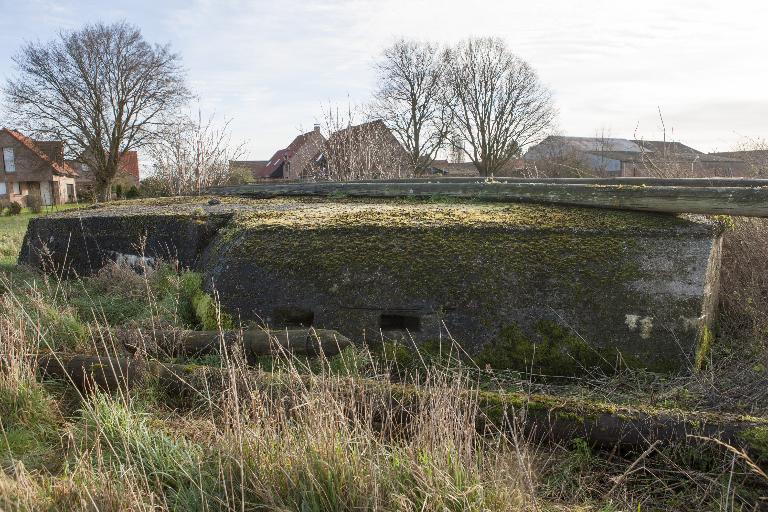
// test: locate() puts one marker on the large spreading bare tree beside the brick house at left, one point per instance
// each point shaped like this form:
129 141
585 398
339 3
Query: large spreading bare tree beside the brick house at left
103 90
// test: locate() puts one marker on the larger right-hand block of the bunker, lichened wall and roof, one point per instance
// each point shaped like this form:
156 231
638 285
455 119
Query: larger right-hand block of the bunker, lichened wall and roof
477 270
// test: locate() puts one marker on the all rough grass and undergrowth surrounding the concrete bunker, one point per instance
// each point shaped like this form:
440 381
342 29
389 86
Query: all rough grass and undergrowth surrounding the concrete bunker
318 447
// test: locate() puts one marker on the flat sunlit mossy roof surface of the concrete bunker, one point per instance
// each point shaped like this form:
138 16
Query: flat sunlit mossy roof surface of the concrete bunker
311 213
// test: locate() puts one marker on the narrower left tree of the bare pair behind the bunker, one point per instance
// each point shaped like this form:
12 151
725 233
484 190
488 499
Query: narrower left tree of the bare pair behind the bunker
410 98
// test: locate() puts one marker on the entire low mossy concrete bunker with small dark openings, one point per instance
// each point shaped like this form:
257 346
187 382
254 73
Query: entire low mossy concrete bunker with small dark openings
547 288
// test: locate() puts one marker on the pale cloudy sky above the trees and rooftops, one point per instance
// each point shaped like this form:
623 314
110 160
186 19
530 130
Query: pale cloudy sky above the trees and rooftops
273 65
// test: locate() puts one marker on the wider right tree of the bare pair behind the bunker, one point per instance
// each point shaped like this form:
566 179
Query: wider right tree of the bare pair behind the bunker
498 103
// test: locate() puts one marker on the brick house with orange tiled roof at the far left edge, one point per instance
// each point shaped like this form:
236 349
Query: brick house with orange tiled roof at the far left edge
33 167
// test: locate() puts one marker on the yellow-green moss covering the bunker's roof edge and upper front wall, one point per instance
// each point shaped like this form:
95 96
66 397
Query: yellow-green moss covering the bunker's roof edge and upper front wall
423 245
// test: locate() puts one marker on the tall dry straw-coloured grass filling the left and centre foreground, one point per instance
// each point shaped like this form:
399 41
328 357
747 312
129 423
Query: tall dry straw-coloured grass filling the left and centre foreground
310 443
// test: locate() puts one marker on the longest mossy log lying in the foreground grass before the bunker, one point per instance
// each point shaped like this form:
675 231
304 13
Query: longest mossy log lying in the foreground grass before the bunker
558 418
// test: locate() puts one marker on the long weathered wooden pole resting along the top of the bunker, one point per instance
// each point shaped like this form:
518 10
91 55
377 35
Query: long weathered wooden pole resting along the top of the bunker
743 200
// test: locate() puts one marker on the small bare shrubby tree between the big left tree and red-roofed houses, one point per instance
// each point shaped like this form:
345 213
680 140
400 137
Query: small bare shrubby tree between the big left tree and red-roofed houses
193 154
